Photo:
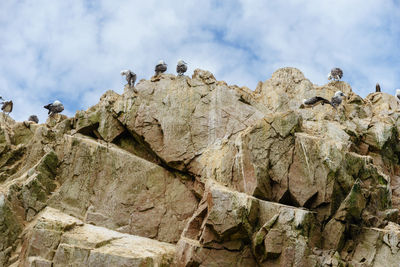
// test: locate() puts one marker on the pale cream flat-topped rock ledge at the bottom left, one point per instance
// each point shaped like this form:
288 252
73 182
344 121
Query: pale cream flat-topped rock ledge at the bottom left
57 239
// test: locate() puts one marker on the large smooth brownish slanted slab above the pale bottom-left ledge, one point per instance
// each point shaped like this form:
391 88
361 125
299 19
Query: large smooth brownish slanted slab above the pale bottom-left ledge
107 186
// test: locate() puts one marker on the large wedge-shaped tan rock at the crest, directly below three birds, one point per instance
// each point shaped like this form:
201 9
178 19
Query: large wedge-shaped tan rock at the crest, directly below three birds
203 113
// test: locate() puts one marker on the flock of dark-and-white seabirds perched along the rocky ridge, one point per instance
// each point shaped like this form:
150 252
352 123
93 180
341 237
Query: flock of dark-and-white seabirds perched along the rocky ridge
335 74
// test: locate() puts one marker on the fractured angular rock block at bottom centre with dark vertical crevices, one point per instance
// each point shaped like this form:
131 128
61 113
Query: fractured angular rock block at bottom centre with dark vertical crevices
228 219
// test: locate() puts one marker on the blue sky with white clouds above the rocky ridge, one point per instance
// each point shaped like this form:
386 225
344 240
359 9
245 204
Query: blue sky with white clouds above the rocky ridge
74 50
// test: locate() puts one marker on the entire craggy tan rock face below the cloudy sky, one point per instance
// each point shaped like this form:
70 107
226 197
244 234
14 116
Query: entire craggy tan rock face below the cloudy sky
193 172
